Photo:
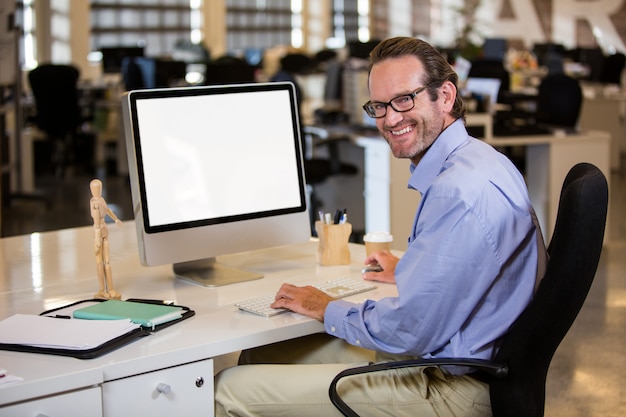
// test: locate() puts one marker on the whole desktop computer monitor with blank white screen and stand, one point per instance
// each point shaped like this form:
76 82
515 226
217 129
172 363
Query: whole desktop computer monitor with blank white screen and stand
214 171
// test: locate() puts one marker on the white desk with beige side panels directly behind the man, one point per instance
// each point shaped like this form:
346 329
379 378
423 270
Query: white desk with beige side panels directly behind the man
390 205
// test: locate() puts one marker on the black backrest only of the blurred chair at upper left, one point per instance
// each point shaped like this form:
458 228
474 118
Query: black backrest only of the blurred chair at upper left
56 98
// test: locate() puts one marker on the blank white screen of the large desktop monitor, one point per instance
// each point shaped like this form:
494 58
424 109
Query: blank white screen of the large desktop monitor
212 156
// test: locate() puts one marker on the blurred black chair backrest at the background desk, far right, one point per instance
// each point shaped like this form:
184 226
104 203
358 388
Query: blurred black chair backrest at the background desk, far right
559 100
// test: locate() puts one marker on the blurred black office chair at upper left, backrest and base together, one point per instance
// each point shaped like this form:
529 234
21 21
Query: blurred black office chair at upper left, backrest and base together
58 114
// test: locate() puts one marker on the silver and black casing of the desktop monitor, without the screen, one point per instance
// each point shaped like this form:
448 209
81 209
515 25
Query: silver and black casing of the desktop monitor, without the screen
193 250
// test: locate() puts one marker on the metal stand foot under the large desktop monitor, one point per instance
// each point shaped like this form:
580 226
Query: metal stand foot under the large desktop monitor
210 273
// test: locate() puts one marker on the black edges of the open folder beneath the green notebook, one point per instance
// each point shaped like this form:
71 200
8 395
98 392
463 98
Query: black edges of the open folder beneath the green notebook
109 345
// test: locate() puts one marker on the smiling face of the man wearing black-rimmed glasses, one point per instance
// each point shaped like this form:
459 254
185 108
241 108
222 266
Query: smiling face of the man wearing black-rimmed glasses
410 133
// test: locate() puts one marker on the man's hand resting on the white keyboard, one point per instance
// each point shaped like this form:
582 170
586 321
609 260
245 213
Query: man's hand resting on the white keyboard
308 300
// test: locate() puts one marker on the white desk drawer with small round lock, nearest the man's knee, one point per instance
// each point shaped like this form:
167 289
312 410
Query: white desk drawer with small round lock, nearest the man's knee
183 390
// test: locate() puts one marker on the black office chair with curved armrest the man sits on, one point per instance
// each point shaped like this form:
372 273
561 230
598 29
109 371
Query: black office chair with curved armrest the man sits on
517 374
